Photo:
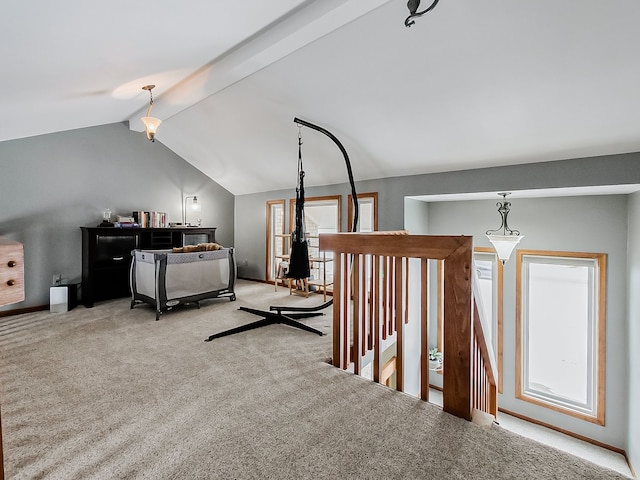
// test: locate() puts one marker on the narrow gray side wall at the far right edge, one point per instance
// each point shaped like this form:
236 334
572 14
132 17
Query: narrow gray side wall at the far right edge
633 338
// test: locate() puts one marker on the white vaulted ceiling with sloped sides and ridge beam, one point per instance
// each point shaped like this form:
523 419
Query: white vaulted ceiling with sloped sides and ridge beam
472 84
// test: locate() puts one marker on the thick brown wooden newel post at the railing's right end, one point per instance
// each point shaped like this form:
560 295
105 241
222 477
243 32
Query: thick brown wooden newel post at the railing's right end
458 330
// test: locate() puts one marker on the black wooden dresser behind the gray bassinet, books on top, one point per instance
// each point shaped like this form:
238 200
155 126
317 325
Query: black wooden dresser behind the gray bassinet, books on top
106 255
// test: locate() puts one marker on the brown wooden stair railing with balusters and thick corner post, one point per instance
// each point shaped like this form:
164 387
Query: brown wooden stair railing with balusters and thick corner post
372 305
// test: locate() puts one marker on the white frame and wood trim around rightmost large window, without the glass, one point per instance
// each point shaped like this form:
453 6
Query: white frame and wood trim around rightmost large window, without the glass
593 408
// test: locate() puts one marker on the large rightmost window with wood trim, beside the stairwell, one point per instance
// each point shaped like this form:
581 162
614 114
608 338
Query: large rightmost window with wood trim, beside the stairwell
560 330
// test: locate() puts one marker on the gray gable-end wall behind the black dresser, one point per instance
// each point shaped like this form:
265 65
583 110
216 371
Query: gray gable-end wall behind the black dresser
52 184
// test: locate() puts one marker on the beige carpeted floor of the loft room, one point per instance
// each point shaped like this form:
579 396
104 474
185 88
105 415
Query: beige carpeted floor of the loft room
109 392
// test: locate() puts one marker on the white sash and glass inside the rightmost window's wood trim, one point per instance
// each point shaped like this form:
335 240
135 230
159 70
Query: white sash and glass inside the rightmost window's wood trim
560 339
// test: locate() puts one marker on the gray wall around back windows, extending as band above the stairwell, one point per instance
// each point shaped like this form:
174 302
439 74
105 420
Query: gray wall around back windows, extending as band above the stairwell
250 215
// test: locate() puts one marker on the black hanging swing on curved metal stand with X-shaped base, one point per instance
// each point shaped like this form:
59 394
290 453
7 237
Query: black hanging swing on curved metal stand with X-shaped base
299 255
